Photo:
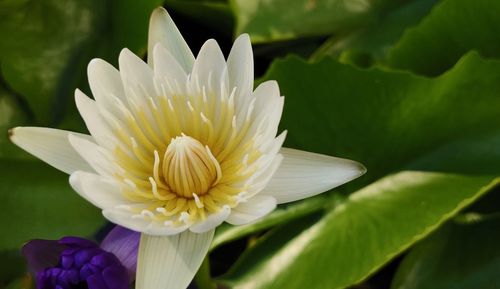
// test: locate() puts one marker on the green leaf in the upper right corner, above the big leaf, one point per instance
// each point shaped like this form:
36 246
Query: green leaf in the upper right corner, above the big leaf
453 28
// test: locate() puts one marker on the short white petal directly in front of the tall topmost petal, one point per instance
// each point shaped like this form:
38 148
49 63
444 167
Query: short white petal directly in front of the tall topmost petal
166 66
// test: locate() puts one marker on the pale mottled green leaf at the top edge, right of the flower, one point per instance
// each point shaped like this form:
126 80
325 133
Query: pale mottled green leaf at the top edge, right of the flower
275 20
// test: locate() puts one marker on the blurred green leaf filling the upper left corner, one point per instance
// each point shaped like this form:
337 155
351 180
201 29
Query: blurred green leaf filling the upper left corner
50 43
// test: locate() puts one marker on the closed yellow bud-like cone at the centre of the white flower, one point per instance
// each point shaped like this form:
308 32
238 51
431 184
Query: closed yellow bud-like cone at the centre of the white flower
189 168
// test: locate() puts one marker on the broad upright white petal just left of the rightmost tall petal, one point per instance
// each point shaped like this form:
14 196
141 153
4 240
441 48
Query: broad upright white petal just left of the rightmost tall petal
210 68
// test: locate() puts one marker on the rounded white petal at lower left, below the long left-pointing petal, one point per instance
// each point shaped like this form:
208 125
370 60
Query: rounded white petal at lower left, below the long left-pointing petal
100 191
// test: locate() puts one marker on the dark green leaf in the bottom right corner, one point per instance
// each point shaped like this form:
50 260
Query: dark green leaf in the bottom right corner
461 255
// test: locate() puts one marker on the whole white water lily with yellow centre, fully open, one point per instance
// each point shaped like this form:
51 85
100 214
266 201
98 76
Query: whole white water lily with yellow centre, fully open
180 145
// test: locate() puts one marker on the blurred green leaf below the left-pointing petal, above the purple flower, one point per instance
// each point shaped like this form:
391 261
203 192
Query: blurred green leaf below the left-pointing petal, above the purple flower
37 202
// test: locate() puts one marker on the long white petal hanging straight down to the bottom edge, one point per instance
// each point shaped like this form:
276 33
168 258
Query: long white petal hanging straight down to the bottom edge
170 262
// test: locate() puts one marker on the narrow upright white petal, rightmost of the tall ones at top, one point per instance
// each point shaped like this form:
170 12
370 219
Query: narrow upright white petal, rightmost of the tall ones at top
240 69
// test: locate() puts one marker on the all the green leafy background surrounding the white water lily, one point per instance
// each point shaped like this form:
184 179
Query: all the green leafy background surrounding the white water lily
409 88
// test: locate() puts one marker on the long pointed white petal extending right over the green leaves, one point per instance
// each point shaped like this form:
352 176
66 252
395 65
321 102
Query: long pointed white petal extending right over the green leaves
304 174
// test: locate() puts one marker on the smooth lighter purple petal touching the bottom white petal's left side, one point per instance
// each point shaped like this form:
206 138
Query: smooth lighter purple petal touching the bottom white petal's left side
124 243
